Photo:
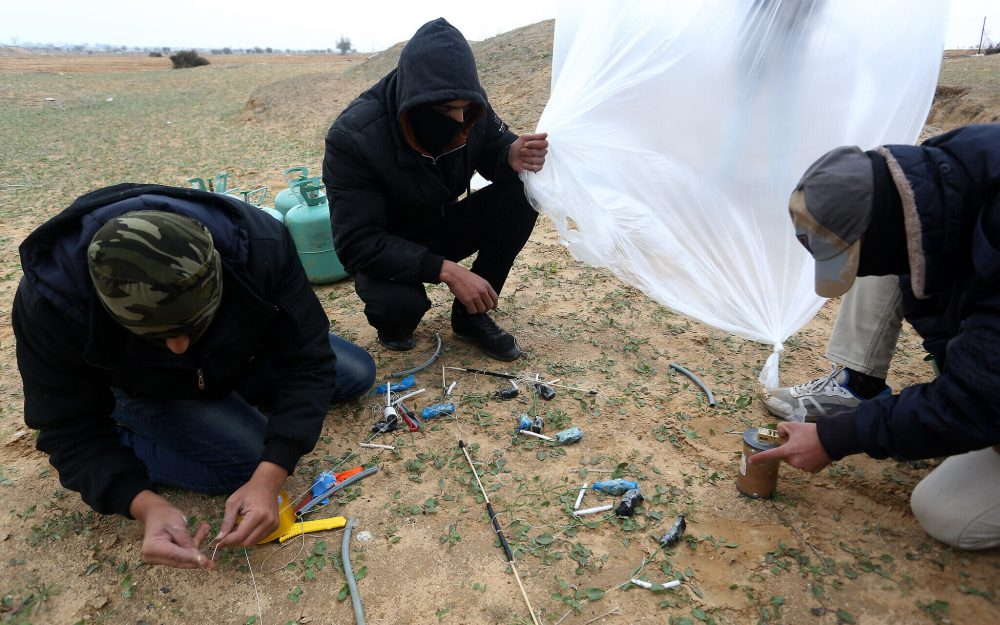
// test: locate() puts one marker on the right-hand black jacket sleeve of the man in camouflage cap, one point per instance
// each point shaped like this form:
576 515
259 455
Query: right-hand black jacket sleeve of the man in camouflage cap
304 364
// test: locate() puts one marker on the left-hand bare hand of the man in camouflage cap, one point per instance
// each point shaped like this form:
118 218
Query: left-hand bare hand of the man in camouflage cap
166 539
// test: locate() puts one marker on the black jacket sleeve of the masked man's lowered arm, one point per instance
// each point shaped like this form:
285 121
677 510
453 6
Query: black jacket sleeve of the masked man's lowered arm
359 214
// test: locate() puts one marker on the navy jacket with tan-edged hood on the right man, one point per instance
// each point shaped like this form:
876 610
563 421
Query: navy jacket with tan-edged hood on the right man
949 189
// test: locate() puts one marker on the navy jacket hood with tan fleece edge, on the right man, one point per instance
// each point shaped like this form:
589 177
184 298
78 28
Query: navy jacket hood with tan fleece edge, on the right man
948 188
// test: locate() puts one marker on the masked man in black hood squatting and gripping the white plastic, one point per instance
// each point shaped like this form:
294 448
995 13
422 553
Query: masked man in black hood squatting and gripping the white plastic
397 160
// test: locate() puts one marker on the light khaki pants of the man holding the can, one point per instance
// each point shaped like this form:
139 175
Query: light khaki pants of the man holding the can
958 503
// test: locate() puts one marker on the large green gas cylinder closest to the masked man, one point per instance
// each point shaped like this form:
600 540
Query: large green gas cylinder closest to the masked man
309 225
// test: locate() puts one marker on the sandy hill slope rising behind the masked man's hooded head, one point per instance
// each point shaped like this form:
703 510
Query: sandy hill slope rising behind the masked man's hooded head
514 68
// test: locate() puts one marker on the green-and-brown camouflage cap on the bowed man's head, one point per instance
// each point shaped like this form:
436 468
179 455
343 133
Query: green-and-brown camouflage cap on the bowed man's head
157 273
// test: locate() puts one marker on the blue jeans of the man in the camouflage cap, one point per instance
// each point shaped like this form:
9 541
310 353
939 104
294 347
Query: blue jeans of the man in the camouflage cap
214 446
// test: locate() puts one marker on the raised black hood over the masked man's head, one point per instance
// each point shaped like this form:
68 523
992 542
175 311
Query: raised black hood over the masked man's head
437 65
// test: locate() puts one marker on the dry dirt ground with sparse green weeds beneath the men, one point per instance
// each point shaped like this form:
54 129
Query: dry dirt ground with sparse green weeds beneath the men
838 547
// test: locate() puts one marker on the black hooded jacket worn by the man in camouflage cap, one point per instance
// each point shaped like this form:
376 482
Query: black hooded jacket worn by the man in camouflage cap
71 353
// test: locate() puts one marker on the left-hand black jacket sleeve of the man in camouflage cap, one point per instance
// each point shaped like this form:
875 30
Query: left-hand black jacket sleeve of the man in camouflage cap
70 404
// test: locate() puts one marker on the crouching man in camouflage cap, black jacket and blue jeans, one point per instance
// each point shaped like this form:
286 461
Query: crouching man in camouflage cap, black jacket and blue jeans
169 337
